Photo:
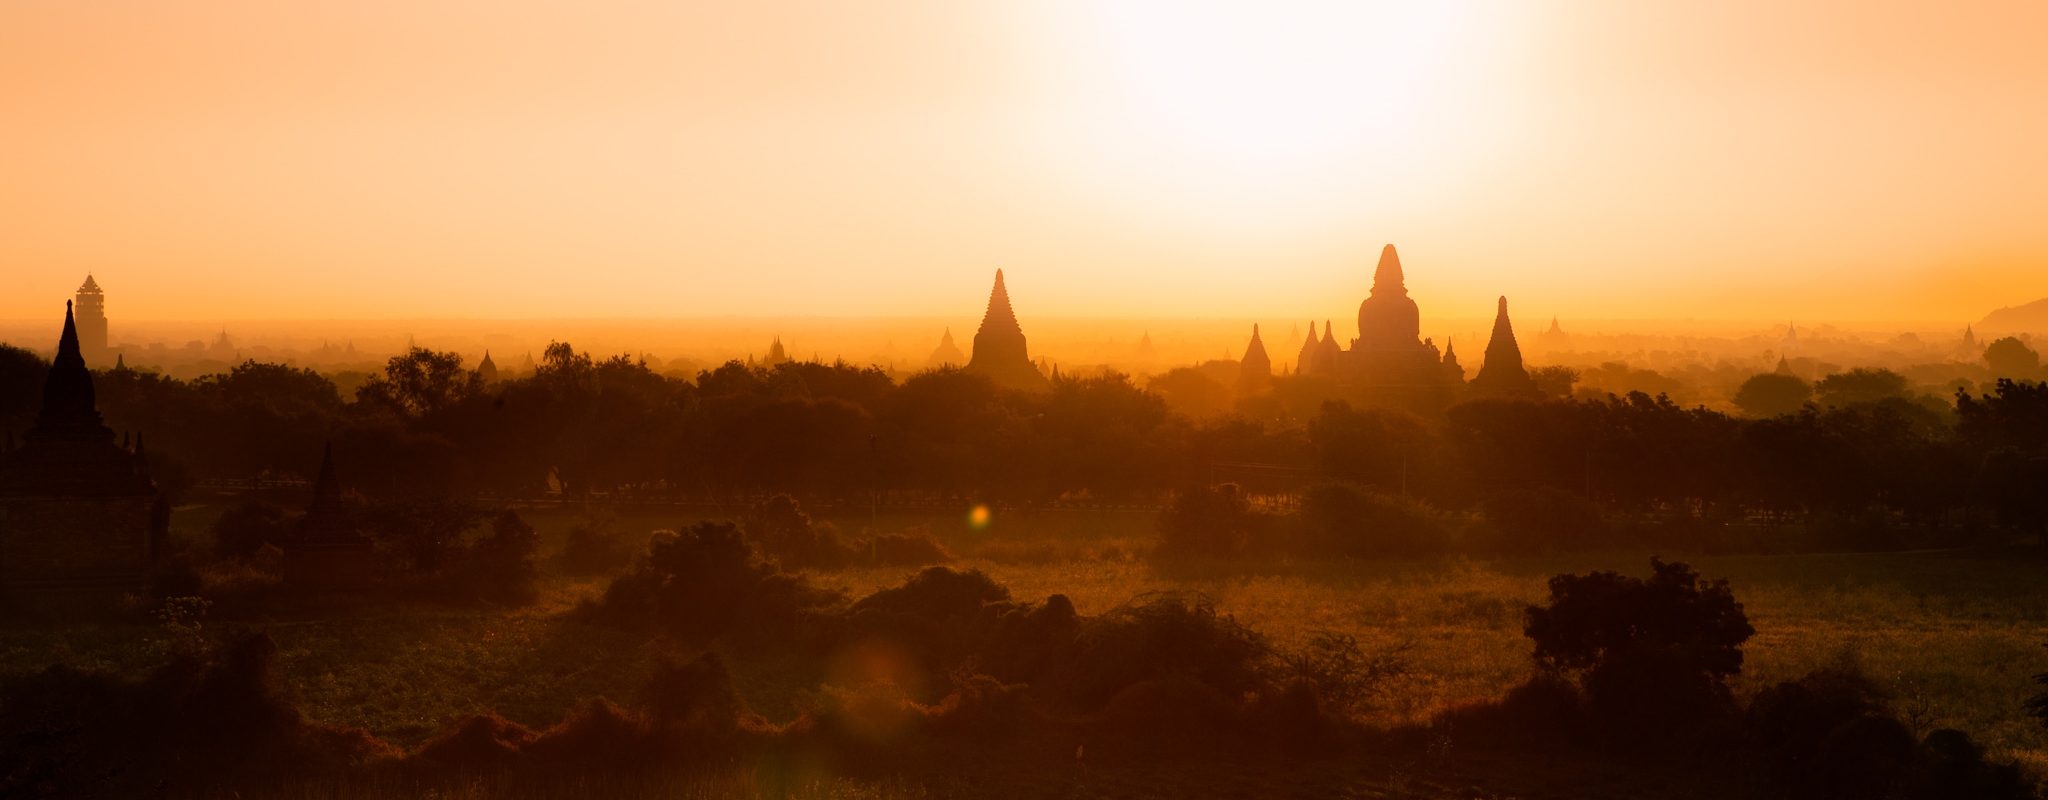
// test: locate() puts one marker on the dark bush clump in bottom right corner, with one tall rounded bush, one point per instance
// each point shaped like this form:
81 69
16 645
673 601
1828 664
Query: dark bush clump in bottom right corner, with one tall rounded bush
1639 666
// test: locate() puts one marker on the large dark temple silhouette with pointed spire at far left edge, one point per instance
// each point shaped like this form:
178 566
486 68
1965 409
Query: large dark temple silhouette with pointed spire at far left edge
81 521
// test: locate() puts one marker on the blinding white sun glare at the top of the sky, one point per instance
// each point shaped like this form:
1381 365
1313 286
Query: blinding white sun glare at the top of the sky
1277 87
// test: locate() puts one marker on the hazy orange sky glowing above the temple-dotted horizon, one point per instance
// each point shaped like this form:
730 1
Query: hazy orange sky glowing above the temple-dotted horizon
521 159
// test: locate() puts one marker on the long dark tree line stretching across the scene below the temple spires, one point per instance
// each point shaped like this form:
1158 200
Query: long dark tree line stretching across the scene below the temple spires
579 425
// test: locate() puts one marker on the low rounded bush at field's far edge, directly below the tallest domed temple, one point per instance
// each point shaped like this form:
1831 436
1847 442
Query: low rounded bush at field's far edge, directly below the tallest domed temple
1347 521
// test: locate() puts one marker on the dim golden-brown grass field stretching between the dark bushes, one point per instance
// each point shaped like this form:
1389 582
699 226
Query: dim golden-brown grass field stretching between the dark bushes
1955 635
